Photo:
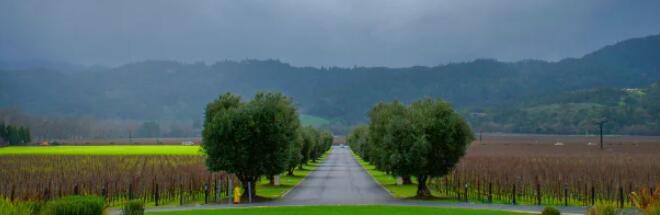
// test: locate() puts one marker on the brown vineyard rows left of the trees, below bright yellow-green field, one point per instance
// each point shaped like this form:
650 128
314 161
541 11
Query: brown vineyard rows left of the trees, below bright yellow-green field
156 179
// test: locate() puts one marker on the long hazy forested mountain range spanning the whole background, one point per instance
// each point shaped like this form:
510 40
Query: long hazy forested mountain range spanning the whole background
495 96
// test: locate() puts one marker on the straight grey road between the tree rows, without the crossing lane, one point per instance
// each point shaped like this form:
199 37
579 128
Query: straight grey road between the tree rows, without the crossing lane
338 180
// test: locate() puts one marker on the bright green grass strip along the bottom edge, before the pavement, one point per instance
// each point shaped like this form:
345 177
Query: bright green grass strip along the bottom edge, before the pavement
337 209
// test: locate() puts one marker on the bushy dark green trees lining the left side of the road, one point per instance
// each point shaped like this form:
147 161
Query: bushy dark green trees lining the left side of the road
261 137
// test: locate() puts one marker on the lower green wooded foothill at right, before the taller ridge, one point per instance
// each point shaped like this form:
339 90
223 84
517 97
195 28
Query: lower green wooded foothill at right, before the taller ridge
627 111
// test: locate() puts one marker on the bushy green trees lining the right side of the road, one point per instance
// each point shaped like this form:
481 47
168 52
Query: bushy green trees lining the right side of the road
423 140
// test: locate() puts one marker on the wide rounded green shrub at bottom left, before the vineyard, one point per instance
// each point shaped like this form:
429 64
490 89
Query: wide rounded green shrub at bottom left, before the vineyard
75 205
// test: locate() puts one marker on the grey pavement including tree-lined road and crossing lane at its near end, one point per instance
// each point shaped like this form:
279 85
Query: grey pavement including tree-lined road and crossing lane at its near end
340 180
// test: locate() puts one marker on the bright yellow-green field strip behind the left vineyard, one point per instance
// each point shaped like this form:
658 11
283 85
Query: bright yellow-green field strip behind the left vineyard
103 150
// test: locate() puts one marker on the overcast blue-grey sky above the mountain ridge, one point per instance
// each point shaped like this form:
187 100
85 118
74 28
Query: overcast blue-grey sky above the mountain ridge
317 33
